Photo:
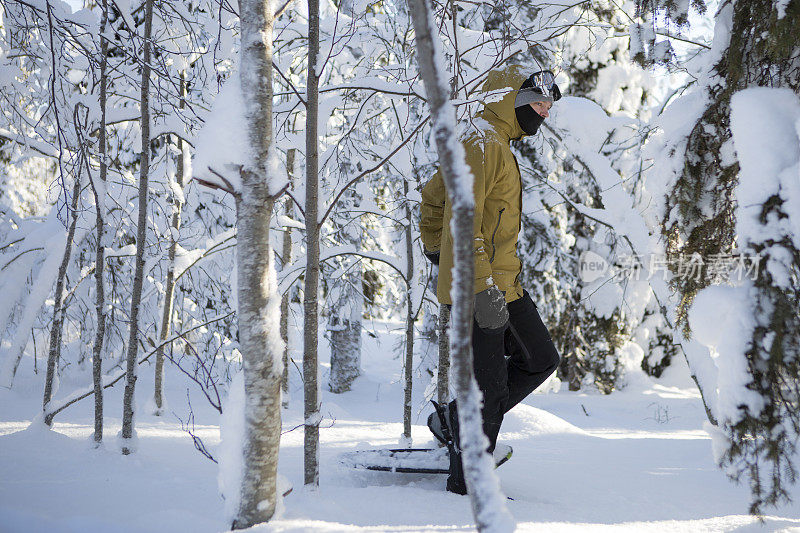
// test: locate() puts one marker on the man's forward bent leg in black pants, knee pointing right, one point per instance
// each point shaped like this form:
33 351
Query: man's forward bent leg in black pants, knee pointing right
532 354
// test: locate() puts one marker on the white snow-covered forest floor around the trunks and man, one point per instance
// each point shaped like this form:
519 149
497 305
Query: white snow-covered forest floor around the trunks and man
637 460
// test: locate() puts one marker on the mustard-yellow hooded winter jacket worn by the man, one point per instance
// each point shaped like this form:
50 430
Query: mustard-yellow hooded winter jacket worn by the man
498 196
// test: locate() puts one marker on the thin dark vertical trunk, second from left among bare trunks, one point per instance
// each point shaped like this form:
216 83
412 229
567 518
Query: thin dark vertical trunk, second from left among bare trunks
99 269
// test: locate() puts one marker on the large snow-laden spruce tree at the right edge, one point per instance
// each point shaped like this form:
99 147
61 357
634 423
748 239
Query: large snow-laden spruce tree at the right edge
724 163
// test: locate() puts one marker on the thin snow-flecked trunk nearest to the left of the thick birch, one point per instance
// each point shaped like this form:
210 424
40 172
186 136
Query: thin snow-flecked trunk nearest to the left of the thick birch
169 289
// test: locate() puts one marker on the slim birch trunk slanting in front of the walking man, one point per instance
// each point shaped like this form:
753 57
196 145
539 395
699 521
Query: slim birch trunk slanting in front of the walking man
488 504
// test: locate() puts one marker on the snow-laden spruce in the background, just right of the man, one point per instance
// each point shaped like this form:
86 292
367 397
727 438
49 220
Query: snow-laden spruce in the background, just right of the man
605 314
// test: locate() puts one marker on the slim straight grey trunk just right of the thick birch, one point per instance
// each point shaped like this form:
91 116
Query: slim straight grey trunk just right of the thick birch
310 334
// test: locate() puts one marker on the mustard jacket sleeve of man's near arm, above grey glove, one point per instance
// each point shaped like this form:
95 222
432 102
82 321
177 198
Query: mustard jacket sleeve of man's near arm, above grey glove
482 162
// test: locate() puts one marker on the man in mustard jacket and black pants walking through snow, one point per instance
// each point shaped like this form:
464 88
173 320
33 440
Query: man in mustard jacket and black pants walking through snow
512 350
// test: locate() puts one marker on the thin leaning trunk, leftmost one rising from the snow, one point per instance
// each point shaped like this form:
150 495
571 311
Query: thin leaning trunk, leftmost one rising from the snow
54 353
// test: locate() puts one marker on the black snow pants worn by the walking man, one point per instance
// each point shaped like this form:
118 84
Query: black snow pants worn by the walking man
510 364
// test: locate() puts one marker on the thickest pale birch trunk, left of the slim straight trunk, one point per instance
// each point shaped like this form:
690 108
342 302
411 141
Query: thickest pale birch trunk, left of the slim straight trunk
259 303
